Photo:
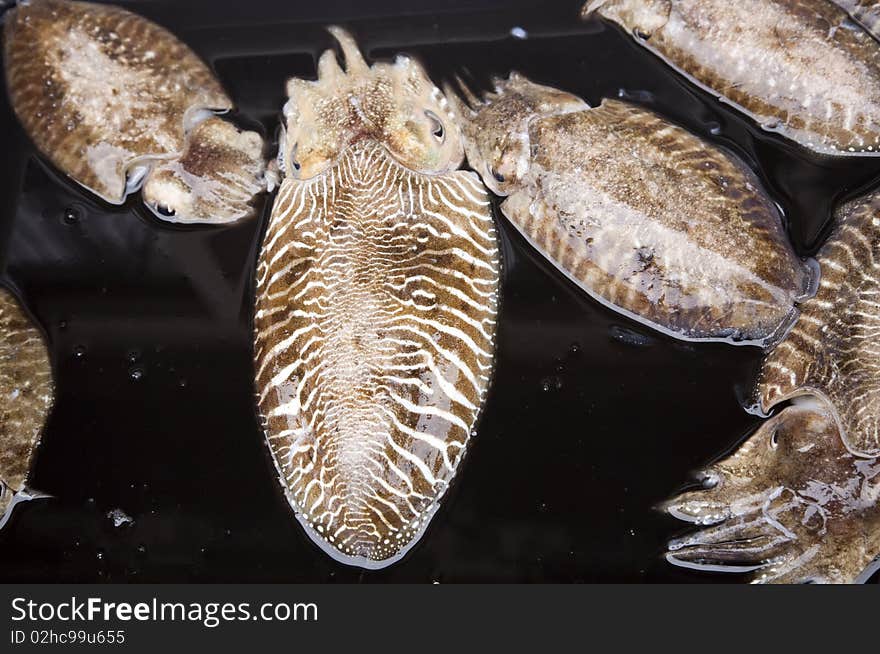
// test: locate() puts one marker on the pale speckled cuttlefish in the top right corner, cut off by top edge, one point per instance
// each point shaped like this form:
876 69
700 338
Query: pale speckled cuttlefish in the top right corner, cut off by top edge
799 67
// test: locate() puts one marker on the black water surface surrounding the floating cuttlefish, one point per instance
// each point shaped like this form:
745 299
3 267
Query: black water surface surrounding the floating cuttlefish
592 420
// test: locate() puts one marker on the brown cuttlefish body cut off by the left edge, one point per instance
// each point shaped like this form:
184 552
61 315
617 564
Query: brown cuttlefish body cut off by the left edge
26 393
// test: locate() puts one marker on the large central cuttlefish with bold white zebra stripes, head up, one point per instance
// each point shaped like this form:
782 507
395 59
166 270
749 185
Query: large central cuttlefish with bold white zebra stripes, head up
376 301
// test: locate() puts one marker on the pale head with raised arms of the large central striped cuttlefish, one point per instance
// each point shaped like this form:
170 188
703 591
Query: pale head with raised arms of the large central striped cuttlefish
393 103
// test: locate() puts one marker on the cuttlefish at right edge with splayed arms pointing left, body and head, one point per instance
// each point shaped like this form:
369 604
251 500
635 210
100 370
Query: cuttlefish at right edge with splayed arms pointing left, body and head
800 500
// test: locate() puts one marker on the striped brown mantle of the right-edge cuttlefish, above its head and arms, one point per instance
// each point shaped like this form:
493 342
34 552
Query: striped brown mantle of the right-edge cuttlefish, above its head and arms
833 350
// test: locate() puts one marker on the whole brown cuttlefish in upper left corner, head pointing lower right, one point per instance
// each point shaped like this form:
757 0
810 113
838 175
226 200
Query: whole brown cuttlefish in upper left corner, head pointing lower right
105 94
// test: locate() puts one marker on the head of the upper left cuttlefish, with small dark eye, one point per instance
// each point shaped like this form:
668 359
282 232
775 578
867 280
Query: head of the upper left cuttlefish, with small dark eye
215 180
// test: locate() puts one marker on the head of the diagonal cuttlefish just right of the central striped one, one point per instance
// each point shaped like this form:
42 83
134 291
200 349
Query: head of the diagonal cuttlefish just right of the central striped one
495 128
